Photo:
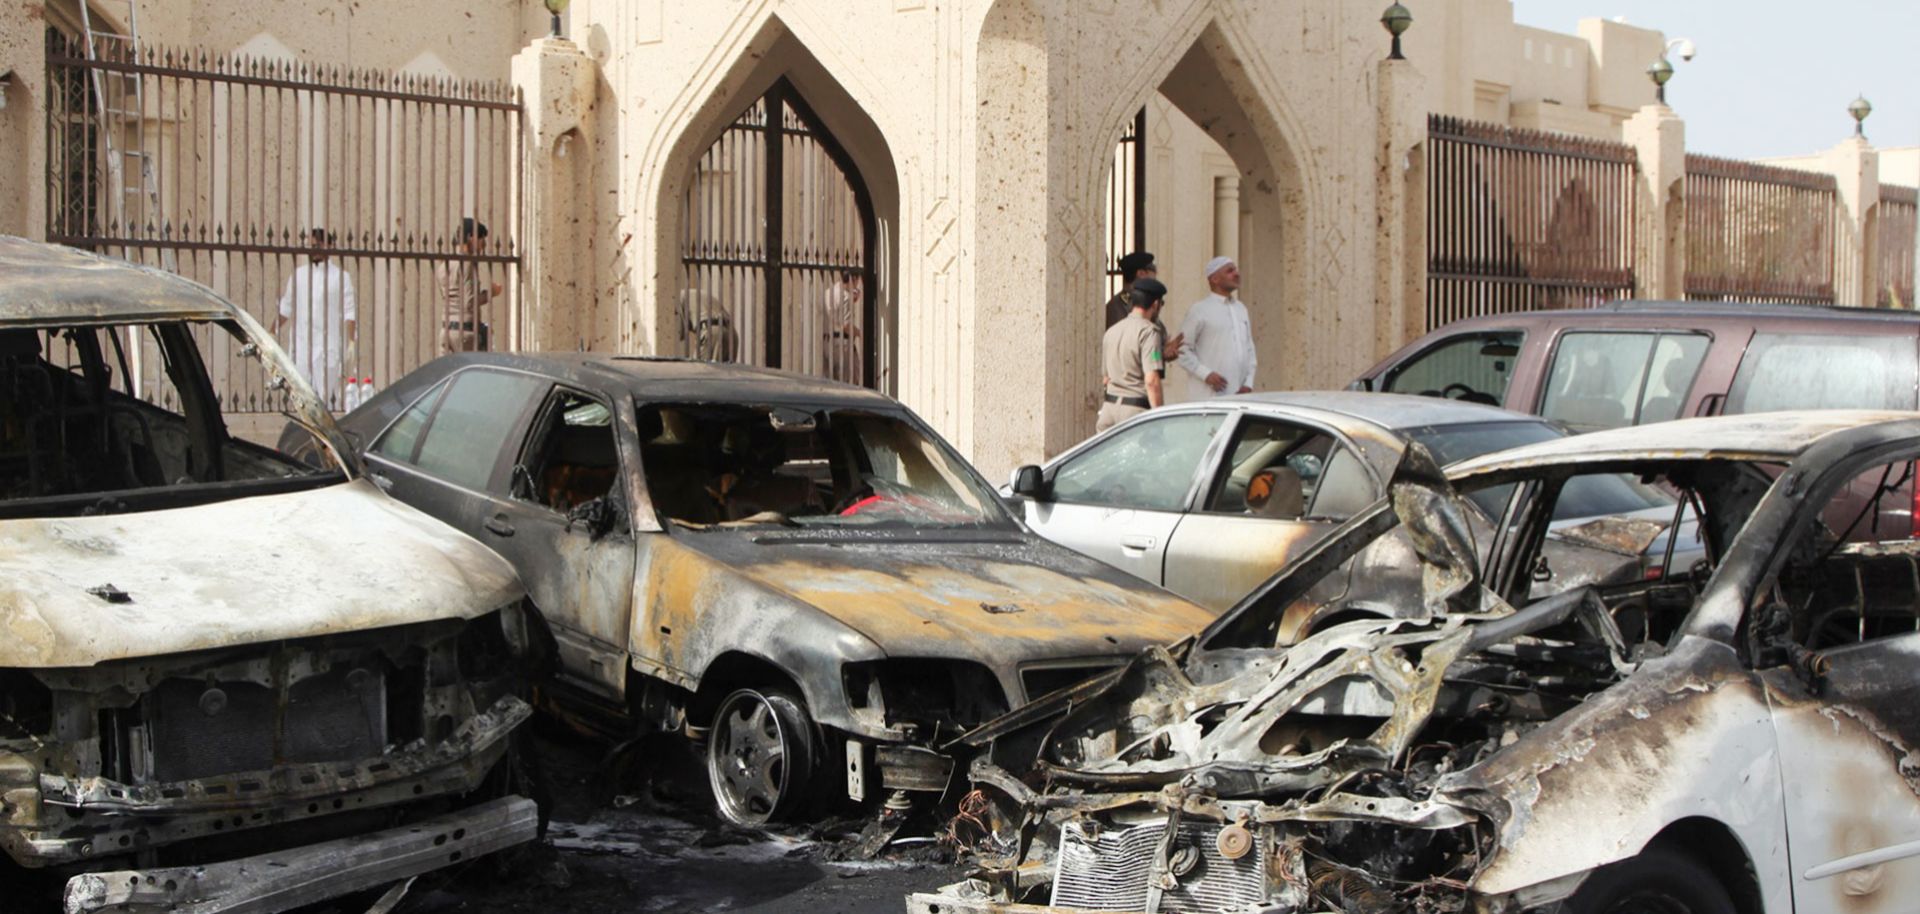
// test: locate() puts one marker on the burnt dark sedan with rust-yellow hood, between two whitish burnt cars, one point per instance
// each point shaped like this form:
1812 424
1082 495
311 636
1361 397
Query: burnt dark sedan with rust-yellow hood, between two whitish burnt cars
792 571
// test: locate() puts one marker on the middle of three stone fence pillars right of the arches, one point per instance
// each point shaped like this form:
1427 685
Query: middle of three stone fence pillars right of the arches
1660 237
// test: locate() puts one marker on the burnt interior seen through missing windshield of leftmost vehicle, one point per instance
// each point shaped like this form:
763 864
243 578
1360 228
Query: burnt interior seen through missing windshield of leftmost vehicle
78 441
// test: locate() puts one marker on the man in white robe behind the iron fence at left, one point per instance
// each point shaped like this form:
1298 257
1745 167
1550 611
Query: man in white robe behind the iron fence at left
320 302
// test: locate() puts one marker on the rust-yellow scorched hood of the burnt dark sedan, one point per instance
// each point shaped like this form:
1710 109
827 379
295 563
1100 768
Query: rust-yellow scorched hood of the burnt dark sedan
1009 598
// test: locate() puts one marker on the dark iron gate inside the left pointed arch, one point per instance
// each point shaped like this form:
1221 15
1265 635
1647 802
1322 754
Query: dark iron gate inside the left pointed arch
777 247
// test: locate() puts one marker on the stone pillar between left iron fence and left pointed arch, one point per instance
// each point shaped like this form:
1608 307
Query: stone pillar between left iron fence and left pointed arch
556 82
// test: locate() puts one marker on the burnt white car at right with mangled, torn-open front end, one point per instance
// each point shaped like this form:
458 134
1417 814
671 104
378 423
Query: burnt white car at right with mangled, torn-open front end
1735 738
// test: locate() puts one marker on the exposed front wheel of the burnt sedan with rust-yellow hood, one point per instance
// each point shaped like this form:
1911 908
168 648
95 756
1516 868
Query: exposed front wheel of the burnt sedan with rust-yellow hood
759 756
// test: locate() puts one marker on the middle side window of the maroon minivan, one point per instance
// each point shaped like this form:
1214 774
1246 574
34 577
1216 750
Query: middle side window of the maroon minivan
1618 379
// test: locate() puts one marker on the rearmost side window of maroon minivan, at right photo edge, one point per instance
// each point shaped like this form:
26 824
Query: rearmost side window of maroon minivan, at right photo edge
1808 372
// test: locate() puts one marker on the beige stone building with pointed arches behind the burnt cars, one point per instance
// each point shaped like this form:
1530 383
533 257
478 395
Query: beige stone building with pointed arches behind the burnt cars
921 193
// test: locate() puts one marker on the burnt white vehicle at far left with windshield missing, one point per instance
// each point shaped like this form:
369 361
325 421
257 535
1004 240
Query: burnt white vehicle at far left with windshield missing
229 679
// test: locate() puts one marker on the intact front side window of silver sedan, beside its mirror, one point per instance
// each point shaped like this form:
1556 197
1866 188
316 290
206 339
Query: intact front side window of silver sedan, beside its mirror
1145 466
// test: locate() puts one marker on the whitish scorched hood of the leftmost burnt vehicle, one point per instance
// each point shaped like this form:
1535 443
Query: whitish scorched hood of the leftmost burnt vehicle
341 558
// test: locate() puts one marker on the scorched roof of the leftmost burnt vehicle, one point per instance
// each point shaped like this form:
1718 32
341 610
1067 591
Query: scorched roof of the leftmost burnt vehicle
51 283
